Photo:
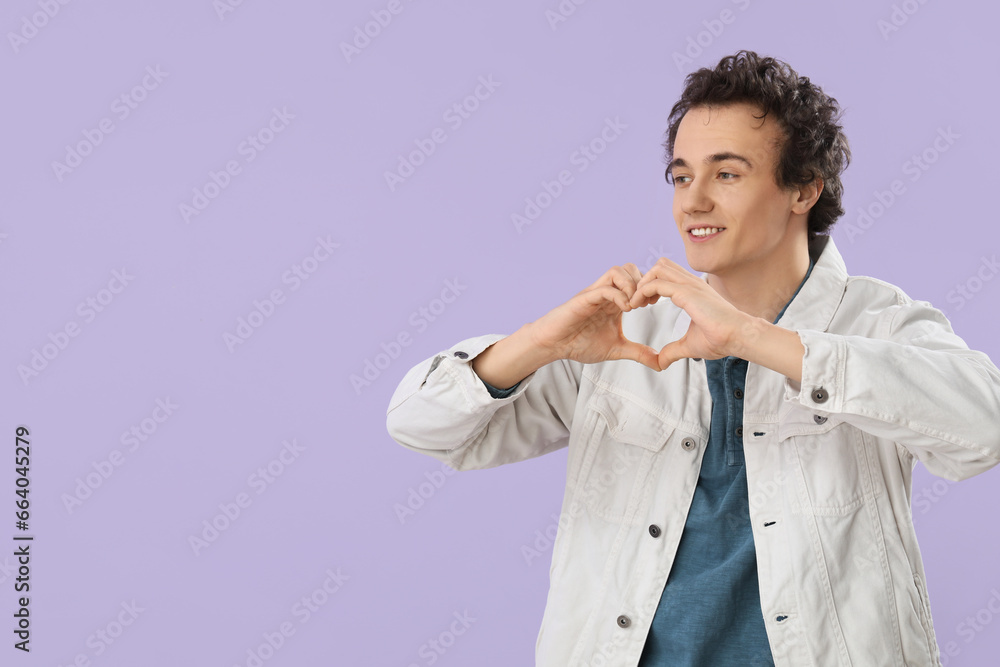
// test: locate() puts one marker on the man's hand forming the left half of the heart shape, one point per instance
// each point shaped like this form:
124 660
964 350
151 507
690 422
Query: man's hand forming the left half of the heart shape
588 327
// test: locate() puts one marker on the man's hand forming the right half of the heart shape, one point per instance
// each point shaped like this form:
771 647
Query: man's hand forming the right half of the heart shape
715 323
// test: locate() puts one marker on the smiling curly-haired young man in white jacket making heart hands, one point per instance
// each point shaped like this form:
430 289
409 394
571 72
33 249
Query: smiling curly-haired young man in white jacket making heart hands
741 444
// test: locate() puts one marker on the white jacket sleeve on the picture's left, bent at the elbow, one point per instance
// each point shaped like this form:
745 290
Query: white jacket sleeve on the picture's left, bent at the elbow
443 409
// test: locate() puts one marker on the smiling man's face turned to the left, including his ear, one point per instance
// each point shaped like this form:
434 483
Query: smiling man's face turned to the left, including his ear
729 210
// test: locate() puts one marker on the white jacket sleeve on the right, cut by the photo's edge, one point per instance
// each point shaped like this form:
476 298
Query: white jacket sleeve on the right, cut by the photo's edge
917 384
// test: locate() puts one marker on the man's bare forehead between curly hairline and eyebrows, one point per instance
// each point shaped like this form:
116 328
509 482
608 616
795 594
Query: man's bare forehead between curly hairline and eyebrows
734 127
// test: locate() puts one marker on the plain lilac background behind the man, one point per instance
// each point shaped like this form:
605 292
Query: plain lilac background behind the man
334 506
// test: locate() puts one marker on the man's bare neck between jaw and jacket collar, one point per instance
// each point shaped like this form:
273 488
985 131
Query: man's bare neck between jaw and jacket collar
763 289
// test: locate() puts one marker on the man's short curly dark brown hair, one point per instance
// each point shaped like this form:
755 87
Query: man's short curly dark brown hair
814 142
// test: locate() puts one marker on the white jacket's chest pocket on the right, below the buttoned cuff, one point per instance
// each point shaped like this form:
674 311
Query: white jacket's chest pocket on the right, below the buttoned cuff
827 454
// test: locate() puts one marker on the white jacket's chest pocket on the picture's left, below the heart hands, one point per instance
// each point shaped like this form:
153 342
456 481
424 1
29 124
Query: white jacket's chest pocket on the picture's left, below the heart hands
620 446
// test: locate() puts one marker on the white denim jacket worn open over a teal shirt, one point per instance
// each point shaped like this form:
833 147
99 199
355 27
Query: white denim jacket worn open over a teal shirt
885 382
